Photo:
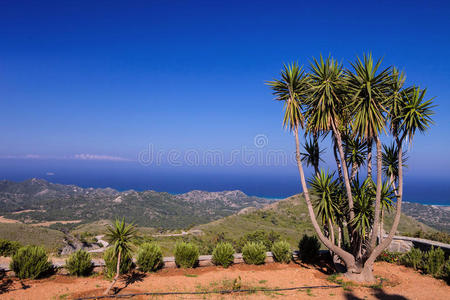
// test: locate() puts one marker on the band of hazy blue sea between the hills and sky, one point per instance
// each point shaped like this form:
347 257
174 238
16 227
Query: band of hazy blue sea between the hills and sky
271 182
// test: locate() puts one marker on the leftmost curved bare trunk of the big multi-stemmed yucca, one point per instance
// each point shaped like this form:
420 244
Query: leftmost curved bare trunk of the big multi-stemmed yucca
346 257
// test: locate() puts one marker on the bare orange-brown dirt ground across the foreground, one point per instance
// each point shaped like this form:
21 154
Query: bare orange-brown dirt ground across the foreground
399 283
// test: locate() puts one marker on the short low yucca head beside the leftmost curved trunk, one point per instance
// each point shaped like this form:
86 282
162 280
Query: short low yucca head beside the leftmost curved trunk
326 191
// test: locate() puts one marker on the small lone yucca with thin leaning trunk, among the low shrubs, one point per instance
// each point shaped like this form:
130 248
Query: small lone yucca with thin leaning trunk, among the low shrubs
121 237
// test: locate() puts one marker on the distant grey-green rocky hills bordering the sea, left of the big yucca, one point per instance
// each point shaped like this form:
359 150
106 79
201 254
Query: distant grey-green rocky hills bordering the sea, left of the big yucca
36 200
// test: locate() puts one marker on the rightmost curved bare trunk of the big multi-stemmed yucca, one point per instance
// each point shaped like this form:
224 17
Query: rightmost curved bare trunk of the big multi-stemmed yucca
383 245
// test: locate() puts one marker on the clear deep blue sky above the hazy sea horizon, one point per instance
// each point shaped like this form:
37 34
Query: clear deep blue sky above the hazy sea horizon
104 79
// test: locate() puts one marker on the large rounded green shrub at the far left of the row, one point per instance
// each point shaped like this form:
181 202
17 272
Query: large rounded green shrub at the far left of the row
30 262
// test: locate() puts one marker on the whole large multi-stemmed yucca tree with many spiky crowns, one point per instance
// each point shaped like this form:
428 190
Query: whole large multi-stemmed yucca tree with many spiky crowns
362 104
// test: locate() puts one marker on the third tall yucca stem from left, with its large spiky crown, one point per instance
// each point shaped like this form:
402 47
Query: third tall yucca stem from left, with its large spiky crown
369 87
